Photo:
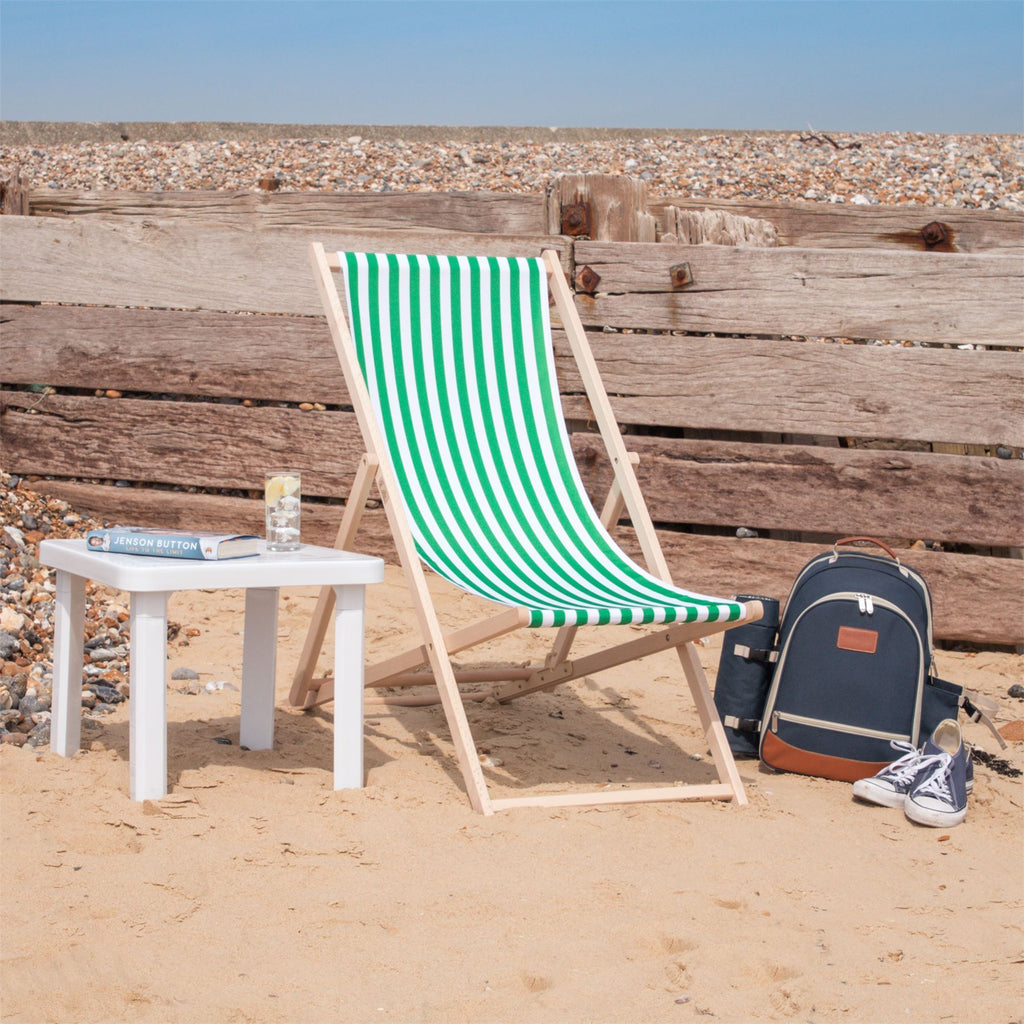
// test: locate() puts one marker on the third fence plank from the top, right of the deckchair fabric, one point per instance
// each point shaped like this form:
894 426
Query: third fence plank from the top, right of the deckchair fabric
925 395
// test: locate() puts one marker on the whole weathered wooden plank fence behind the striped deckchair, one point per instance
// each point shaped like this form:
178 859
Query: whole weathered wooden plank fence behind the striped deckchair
841 371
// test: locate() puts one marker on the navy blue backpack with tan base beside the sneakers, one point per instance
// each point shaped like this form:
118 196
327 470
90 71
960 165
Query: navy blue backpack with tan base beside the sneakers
850 672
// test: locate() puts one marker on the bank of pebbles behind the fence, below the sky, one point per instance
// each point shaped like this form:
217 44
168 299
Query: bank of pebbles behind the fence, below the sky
914 168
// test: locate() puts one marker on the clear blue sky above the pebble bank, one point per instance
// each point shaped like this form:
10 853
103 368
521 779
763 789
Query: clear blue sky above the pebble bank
954 66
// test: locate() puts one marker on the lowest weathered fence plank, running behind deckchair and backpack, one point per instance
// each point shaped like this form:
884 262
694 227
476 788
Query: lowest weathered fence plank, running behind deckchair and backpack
977 600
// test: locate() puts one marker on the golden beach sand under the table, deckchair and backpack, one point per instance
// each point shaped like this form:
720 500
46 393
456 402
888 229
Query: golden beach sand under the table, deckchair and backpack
255 893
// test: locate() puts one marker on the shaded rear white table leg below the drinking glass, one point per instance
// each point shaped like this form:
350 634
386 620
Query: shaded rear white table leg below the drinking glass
260 660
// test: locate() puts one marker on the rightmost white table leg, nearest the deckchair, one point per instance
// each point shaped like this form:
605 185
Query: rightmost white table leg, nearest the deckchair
349 642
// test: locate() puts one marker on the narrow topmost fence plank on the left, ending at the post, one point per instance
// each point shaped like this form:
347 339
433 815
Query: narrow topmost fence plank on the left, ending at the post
484 212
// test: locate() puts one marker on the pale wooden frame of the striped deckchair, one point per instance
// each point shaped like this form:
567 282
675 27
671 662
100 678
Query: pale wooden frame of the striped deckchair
435 654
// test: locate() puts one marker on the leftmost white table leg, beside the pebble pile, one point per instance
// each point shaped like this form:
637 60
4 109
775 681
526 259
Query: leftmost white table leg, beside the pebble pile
69 627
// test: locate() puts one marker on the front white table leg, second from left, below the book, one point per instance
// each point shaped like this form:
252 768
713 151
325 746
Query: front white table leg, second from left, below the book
148 732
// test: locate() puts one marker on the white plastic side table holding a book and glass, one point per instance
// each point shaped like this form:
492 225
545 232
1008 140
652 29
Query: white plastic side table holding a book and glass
150 581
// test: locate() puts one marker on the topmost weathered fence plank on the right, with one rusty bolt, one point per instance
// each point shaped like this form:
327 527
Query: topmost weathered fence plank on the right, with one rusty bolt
825 226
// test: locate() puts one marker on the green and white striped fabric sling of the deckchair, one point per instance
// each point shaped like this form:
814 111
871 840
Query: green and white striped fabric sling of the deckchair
457 356
